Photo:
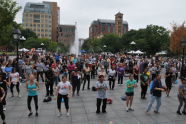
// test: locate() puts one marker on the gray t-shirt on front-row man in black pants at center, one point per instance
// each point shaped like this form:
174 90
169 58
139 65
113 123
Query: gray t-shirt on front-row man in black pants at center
102 94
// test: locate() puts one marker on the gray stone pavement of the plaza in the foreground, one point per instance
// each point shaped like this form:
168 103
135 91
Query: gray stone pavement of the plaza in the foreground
83 107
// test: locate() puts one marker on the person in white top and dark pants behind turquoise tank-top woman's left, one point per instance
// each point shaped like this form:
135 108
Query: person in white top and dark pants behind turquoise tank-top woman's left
14 79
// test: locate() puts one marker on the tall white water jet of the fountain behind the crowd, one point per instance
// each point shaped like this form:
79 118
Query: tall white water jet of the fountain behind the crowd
74 49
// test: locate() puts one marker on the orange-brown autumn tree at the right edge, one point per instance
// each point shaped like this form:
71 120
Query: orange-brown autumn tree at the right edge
178 33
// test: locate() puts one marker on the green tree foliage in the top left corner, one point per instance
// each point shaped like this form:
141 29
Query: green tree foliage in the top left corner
8 11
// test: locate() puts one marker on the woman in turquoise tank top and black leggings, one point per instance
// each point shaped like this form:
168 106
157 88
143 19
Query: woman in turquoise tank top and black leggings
32 87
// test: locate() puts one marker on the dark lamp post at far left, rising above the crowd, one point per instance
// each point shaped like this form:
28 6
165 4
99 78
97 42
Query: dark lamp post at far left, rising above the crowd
16 37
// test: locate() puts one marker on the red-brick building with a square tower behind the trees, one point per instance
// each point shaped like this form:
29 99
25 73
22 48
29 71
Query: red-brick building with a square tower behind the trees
101 27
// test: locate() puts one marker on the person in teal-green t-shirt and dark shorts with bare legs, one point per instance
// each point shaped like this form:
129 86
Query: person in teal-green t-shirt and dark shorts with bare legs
129 91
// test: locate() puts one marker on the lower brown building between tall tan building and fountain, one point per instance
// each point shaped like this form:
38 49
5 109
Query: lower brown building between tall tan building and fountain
66 34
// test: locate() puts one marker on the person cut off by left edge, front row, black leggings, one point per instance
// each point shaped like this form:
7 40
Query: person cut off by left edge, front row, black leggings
2 95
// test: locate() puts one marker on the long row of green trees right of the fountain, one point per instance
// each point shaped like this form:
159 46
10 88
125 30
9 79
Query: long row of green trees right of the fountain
152 39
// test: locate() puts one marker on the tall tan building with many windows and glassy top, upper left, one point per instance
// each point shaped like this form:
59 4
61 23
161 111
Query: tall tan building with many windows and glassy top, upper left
42 18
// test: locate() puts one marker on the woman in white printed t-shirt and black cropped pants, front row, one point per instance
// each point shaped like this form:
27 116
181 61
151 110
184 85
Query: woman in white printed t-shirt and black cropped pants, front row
64 90
